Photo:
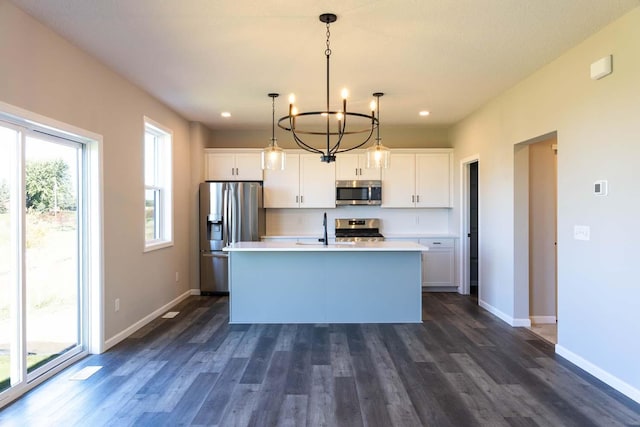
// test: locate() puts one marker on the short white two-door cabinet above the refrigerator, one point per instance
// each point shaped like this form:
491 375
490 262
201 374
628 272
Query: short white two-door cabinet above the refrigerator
226 165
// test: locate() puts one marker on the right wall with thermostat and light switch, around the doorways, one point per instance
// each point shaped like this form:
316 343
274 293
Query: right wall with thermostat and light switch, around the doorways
598 132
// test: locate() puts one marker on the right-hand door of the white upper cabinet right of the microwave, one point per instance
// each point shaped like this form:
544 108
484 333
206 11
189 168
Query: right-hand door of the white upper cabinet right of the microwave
433 180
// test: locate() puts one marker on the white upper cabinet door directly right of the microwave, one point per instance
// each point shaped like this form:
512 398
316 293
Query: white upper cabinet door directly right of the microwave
398 182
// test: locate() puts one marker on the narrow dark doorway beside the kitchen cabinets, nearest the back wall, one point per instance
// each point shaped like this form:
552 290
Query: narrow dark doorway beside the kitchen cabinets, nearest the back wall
470 226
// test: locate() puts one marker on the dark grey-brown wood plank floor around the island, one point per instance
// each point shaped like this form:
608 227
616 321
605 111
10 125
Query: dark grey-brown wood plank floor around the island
461 367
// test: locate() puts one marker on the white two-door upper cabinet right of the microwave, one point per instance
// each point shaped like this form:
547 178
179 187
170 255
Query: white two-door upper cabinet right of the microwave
418 179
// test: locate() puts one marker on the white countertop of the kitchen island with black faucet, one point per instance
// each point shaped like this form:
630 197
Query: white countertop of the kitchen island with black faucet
318 247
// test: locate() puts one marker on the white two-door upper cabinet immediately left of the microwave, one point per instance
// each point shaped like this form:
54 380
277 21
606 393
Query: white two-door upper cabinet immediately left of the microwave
306 182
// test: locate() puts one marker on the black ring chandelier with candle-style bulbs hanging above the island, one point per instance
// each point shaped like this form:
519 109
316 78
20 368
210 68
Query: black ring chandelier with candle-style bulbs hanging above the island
333 124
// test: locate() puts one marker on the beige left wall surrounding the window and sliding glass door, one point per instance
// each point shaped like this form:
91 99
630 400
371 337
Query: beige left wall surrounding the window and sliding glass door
43 73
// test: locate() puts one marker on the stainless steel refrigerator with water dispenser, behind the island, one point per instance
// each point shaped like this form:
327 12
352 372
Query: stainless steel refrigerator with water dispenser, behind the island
229 212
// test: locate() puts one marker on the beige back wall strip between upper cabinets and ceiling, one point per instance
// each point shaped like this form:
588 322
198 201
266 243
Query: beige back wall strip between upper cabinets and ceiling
393 137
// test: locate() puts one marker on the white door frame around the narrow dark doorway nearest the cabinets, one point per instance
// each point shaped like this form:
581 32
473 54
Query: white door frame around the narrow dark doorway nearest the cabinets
465 227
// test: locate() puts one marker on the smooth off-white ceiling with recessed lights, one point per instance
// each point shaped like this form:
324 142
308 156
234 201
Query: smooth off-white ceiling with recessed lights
203 57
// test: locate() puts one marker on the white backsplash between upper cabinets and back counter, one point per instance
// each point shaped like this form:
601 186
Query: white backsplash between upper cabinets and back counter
300 222
